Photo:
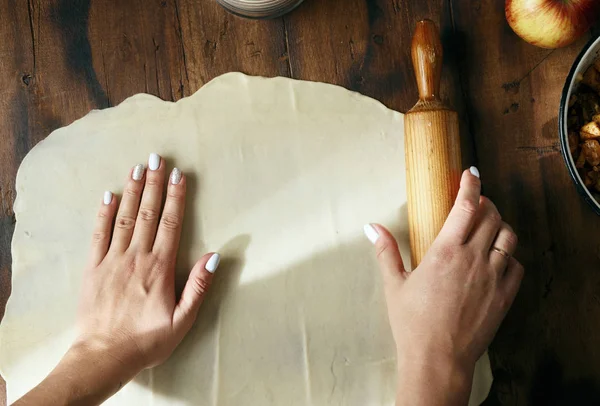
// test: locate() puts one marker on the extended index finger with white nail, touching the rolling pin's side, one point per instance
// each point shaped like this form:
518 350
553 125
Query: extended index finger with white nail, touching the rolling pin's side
459 224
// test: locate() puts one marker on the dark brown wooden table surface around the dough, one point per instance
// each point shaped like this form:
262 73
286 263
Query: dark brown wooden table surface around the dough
60 58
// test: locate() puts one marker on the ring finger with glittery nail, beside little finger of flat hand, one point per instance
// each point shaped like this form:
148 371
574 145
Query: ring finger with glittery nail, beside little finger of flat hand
128 208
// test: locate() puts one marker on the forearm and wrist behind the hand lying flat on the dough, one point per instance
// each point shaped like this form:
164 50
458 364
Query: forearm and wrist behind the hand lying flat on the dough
85 376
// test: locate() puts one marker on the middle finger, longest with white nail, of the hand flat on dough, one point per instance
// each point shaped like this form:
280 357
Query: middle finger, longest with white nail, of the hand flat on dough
149 212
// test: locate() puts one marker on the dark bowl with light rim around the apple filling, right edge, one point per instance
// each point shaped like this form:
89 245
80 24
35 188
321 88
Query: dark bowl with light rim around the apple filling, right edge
584 60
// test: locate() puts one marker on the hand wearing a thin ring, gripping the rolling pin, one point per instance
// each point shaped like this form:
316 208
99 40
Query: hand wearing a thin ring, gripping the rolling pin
446 312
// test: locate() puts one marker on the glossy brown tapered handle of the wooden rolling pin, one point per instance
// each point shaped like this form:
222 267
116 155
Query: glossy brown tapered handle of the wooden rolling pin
427 56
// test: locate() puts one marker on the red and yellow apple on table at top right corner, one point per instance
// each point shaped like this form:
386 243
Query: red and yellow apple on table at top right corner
551 23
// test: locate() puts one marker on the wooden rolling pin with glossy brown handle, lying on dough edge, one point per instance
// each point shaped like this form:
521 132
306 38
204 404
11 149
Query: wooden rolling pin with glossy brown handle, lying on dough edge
432 146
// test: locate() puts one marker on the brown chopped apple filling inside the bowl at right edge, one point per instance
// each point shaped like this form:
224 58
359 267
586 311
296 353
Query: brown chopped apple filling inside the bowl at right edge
583 122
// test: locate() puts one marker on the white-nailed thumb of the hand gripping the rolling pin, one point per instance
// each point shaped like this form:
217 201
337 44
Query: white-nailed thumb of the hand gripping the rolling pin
388 254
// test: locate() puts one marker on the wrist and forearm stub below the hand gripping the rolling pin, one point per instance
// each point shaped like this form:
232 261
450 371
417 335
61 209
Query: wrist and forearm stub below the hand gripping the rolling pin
433 382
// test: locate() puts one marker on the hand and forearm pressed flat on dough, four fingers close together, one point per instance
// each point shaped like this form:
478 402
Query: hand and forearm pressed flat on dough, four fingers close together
129 317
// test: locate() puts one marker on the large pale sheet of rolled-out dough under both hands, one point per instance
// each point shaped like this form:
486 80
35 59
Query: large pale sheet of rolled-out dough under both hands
282 176
